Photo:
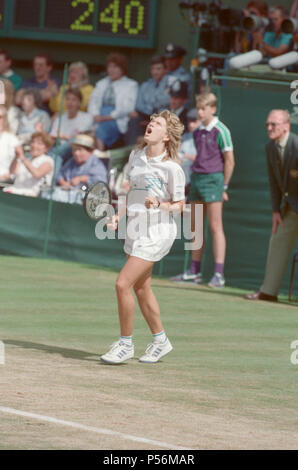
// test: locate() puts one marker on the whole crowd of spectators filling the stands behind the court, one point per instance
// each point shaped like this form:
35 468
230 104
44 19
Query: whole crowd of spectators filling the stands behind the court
40 141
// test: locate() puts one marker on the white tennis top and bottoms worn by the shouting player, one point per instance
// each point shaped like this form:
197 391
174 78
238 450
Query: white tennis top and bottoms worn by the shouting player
150 233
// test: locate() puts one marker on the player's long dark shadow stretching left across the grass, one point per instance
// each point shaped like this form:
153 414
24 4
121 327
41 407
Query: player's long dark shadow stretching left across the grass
67 353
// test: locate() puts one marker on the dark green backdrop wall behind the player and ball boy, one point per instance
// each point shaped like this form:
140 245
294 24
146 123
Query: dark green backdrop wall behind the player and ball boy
247 216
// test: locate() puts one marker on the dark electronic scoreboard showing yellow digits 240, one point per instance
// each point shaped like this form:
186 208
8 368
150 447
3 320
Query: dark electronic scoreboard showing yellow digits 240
128 23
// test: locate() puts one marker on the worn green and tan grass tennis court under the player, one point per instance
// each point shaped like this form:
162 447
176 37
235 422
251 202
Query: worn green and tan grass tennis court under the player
228 384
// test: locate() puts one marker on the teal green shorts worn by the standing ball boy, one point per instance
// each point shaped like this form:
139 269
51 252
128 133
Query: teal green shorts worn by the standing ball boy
206 187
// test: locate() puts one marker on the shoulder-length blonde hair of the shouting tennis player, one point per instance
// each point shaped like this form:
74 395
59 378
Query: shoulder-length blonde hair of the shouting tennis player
175 130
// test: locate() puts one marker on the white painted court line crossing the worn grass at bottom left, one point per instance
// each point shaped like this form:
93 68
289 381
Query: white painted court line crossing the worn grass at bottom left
83 427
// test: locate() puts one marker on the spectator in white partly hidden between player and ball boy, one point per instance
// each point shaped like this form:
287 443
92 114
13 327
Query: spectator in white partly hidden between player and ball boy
188 151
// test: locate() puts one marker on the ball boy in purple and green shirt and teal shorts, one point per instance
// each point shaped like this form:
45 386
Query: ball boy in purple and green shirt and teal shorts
212 171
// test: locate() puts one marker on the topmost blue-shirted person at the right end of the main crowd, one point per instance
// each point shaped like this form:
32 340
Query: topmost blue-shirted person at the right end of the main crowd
174 60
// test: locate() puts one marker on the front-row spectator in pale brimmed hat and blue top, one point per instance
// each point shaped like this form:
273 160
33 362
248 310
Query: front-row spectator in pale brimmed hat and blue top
83 168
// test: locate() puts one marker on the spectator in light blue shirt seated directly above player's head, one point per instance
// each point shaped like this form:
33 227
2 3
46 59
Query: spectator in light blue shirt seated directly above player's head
153 97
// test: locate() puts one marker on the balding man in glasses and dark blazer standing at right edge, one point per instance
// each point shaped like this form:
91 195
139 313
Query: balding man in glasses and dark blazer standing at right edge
282 164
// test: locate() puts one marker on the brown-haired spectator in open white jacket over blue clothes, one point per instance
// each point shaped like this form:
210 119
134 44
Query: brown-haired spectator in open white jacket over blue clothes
112 101
